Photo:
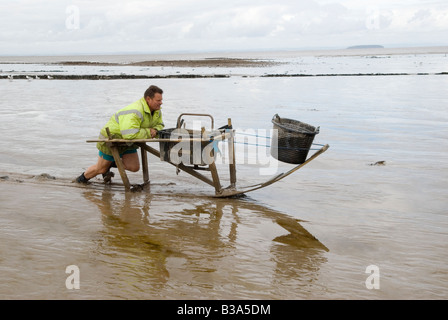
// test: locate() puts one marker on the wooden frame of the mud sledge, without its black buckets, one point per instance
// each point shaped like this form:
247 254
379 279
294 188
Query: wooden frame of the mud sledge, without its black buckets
222 134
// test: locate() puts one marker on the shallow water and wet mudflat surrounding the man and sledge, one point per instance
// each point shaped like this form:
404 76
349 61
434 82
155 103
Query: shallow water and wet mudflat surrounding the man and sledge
365 220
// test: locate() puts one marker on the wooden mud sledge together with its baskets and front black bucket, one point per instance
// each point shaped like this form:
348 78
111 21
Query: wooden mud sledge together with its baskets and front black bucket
194 151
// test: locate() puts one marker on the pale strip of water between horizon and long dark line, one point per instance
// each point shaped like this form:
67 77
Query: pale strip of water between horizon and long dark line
286 63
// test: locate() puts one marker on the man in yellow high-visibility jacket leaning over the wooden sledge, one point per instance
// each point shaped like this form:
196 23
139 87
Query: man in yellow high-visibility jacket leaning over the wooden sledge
139 120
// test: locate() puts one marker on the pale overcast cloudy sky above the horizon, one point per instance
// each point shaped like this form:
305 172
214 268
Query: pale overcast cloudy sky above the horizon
30 27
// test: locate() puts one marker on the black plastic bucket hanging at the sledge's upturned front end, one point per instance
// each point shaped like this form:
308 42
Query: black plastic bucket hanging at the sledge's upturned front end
291 140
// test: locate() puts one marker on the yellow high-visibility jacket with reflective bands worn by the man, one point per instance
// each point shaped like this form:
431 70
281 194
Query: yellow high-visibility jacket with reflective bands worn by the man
131 122
